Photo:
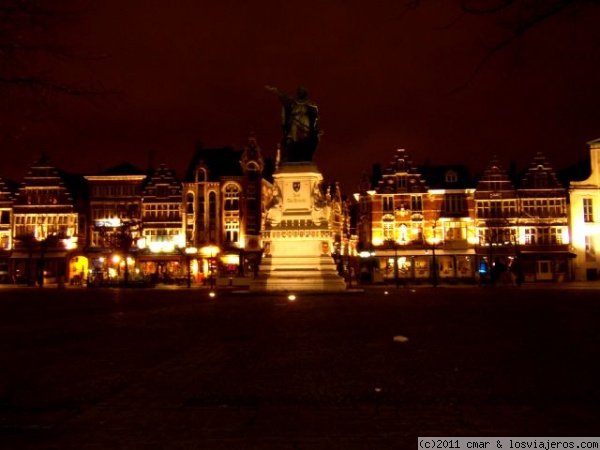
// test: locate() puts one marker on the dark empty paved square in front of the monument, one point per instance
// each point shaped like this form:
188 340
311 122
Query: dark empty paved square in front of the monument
159 369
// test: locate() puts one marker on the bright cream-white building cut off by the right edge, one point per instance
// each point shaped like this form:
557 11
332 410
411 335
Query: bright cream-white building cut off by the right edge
585 220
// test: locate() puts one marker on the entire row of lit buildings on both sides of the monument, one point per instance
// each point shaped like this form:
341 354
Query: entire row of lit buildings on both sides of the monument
407 222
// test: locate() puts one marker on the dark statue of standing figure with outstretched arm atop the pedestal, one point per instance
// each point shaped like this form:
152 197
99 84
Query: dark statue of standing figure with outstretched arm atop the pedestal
300 126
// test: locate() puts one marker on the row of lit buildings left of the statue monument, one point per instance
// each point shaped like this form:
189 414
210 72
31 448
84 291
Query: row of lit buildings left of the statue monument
127 225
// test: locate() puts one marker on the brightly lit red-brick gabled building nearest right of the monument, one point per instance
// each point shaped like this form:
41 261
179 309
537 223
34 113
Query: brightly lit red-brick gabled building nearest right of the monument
415 223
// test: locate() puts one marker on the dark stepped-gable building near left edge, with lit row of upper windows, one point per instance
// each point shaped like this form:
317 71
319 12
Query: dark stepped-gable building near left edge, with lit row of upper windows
45 226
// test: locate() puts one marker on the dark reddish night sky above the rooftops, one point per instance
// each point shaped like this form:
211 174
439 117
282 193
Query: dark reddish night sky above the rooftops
195 71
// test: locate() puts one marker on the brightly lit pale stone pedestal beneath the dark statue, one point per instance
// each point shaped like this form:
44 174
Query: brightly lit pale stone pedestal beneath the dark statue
298 238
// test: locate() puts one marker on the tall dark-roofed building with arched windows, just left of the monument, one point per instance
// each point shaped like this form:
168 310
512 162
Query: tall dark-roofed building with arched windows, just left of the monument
223 208
